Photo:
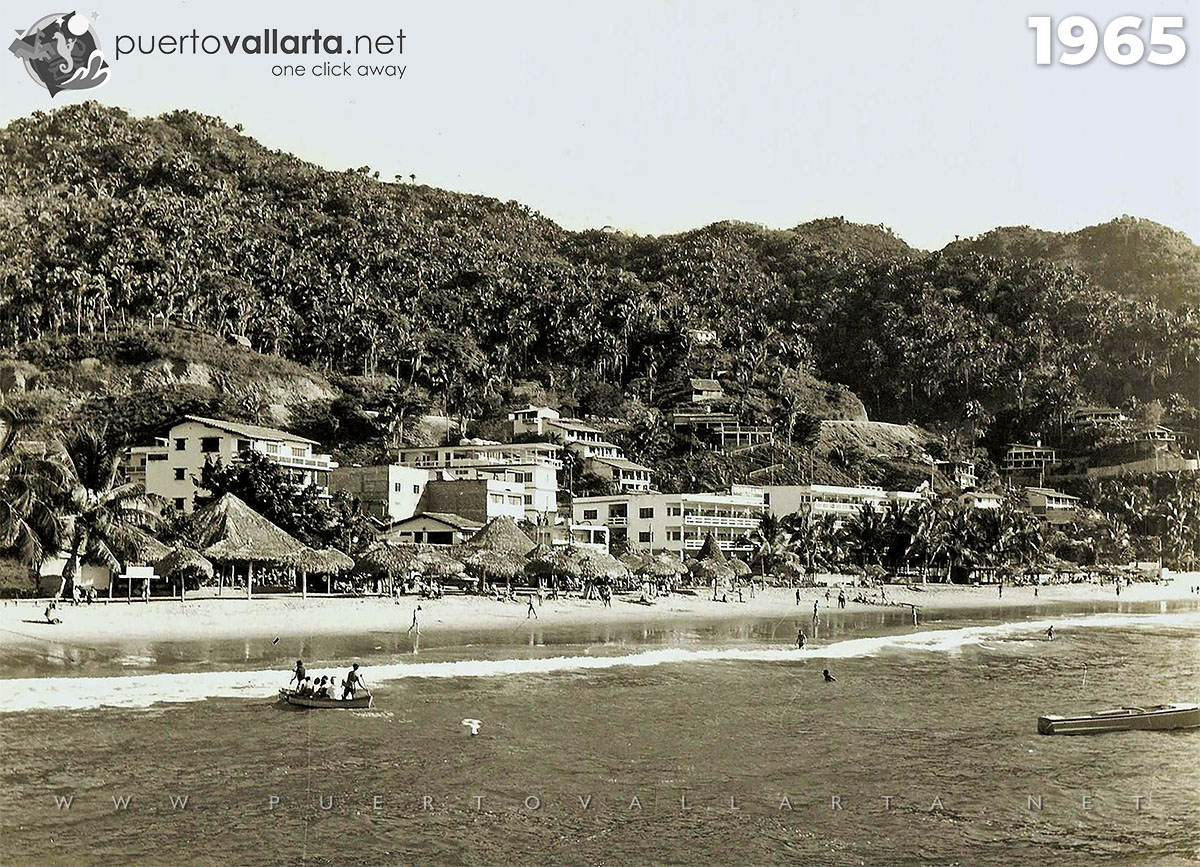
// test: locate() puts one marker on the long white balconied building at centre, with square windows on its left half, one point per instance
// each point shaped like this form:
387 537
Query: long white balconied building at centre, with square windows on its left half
676 523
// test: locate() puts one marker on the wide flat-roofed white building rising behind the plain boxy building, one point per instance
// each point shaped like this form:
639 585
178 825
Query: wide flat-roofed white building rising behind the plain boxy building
533 465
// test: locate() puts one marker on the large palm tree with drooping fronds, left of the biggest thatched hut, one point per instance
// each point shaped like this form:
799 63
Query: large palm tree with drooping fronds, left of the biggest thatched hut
101 511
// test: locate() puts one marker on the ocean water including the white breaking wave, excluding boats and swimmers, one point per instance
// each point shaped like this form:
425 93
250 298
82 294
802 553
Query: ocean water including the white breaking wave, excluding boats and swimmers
691 744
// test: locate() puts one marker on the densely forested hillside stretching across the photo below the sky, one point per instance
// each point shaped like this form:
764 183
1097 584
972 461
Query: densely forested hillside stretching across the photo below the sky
110 222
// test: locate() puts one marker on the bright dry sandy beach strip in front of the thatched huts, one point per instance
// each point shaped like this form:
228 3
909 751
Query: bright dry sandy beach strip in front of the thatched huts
233 617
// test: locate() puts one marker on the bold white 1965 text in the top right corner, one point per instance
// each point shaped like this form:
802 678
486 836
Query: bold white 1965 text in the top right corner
1126 40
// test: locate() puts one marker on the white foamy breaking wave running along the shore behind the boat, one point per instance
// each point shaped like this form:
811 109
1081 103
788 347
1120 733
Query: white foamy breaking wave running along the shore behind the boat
142 691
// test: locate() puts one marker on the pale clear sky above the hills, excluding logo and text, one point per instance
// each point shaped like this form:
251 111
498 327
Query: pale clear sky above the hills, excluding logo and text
662 116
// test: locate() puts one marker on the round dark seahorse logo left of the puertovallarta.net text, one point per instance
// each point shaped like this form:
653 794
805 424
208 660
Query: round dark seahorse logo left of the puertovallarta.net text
62 52
